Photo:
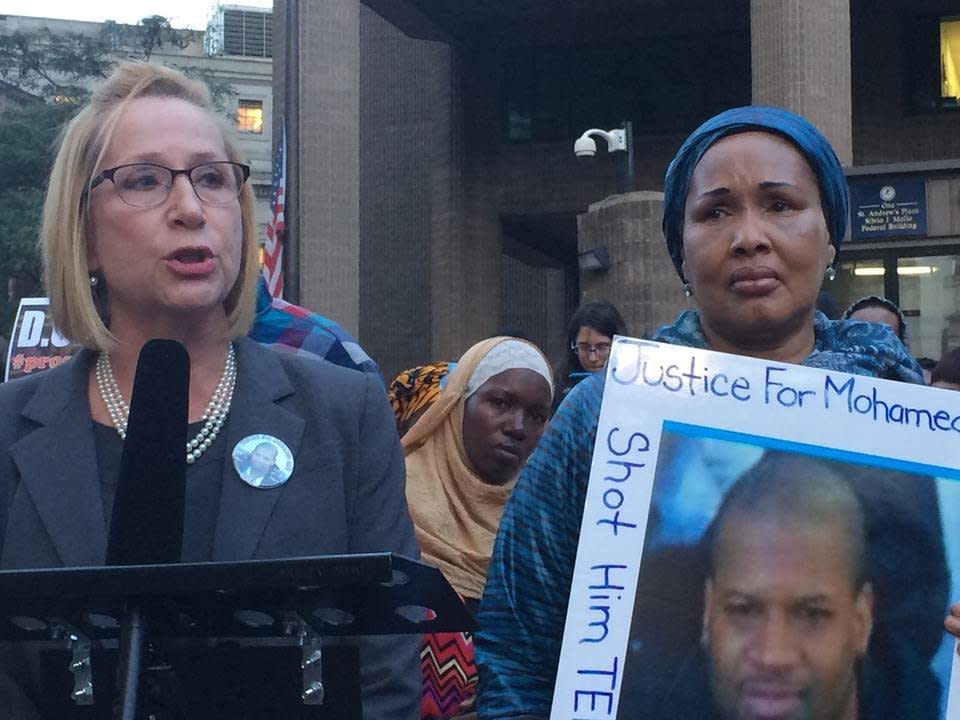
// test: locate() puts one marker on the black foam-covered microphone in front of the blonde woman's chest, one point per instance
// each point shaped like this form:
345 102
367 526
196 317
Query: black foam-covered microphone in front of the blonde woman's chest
147 522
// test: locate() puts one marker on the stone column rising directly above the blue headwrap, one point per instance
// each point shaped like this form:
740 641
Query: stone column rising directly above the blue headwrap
801 61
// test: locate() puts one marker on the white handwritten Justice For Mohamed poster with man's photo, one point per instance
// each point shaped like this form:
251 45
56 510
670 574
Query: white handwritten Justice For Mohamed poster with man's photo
762 539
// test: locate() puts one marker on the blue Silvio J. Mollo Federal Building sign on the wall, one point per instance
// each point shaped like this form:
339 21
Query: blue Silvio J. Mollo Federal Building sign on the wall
896 207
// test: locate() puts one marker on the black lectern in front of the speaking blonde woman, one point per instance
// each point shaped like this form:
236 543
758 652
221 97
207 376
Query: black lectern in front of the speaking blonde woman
115 632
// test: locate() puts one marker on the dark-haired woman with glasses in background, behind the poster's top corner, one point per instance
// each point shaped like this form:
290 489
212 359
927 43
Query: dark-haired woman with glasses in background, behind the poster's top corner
589 337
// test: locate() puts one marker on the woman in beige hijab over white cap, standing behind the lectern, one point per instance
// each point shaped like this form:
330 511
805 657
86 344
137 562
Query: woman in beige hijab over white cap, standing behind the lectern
463 458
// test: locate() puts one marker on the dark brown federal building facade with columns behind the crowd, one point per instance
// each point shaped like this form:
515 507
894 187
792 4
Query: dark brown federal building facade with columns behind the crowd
439 190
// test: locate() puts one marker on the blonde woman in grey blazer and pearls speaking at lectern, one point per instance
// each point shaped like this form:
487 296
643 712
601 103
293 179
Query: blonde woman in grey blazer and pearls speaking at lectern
149 232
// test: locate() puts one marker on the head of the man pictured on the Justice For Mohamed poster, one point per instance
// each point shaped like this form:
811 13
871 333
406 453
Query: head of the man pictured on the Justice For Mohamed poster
788 609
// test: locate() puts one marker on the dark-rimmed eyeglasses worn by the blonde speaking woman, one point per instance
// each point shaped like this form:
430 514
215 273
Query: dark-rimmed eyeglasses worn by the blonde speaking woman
147 185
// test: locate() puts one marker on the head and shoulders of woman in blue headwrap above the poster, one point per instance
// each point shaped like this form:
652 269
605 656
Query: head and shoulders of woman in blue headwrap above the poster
755 209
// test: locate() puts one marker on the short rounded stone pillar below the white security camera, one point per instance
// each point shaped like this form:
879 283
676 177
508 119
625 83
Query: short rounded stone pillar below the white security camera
641 281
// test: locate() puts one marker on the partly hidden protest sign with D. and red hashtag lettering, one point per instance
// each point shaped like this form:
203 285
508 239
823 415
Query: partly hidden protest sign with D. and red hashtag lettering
35 344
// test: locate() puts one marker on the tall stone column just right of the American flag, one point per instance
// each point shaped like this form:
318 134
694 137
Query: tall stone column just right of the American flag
328 149
